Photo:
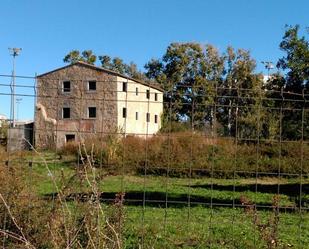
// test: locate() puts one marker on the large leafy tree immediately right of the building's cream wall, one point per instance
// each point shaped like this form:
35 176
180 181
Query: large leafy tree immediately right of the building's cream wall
188 72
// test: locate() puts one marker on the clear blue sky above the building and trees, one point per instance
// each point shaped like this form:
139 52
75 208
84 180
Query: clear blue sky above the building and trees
135 30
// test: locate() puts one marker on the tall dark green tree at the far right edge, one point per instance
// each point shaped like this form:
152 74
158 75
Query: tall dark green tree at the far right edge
294 83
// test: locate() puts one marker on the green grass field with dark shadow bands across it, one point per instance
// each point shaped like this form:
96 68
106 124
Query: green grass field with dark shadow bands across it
170 212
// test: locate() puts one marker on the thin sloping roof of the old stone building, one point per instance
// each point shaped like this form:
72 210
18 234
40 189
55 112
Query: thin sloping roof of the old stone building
81 63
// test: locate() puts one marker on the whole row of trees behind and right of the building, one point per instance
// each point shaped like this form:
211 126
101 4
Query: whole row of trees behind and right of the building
204 87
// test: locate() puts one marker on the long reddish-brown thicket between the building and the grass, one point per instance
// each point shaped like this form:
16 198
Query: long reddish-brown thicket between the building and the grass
192 153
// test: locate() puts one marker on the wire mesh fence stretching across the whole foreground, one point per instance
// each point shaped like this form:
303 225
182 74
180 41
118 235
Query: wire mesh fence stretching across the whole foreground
145 168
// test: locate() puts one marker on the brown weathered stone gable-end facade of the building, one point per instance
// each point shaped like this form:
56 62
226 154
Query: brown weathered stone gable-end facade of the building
50 127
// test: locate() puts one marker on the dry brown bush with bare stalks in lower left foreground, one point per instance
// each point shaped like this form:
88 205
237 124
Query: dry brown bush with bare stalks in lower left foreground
29 221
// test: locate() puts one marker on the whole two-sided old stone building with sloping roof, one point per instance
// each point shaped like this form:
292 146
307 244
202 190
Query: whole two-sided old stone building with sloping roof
82 101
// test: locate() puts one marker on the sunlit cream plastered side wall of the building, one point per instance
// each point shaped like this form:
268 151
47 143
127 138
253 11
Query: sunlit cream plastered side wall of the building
138 103
